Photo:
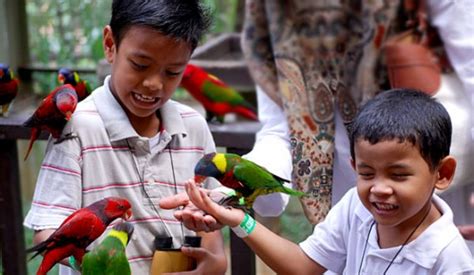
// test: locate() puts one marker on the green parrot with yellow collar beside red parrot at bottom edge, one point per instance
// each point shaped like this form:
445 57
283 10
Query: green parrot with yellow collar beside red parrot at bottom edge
109 256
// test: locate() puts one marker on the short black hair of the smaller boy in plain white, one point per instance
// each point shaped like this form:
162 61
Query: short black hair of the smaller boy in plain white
405 115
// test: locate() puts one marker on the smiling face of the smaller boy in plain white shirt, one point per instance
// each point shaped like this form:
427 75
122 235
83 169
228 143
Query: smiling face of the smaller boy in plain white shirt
394 182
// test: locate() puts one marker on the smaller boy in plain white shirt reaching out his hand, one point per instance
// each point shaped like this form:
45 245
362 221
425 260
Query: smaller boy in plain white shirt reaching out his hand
391 222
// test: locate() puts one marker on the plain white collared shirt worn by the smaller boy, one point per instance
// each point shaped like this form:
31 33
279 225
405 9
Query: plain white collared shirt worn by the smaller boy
338 243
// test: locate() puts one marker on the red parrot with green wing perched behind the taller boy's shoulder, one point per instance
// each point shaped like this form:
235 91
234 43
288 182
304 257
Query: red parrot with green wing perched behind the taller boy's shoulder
217 97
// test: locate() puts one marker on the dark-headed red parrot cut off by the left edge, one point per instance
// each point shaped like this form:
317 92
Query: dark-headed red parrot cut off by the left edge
8 87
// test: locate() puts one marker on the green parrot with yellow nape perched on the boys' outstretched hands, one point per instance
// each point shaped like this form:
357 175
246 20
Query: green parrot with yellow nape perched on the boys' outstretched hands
248 179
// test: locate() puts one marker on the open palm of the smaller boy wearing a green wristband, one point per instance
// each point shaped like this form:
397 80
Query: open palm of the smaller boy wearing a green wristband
227 216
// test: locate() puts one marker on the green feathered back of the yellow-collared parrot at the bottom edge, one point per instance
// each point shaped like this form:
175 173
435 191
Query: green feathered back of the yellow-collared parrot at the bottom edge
108 258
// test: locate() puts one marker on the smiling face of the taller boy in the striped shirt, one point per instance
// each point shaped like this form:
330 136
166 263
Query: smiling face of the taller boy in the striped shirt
147 67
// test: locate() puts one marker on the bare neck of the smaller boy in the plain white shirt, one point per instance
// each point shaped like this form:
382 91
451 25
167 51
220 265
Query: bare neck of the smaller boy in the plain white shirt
389 236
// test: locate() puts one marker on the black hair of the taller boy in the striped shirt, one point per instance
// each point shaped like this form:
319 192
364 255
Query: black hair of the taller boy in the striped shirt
181 19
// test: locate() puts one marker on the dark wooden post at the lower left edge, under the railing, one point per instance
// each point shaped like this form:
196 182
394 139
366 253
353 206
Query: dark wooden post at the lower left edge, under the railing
11 216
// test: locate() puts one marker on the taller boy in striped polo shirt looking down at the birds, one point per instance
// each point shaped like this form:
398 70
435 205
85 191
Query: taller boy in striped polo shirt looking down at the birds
129 139
